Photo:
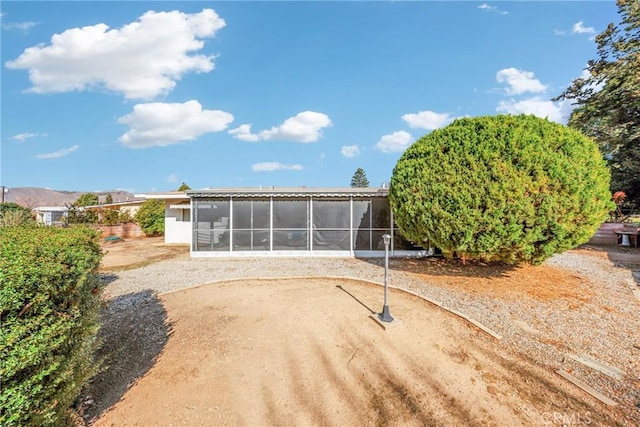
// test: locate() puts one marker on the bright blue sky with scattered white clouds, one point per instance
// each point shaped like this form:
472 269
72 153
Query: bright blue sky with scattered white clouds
143 96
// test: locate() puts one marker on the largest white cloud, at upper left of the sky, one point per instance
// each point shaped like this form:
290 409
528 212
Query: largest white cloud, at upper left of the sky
141 60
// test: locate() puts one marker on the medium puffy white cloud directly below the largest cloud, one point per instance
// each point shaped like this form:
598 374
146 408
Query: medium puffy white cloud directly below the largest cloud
161 124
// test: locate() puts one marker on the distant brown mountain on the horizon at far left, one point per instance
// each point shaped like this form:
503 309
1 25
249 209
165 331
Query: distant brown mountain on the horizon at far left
33 197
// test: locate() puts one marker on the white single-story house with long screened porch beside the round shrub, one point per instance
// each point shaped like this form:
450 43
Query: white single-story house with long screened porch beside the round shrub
284 222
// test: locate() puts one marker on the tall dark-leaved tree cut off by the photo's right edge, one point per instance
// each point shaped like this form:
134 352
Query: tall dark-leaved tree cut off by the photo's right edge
608 99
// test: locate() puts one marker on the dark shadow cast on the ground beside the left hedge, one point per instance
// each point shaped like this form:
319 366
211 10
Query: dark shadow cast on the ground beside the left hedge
133 333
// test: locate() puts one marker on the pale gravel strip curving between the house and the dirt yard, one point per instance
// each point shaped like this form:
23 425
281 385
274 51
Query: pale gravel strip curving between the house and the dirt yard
606 328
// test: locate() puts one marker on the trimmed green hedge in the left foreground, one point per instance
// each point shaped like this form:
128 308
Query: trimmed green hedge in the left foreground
49 299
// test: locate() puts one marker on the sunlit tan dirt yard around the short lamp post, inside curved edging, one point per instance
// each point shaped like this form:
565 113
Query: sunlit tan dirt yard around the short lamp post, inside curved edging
290 353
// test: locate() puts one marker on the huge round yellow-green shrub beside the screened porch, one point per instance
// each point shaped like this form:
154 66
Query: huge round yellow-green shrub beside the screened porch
507 188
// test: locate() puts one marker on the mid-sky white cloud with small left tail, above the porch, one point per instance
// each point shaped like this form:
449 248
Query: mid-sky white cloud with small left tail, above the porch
303 127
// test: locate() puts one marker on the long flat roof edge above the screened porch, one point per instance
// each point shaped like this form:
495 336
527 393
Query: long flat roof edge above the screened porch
290 192
